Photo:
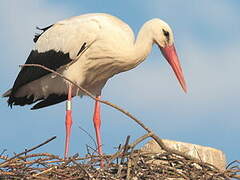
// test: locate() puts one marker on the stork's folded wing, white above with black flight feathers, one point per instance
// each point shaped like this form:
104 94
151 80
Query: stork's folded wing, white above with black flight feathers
59 45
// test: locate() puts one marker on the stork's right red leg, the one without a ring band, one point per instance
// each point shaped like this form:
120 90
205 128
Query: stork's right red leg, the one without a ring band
97 125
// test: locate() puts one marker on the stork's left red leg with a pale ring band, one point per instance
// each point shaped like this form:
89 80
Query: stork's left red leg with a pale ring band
68 122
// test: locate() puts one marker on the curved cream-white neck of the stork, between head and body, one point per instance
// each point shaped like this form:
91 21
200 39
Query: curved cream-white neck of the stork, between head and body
143 44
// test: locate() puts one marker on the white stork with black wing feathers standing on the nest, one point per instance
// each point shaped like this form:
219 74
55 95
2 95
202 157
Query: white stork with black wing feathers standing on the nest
88 49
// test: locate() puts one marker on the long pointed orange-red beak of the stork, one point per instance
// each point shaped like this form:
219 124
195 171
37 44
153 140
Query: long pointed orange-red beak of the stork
170 54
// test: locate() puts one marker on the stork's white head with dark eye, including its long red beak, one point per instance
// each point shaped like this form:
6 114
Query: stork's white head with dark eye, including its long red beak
163 37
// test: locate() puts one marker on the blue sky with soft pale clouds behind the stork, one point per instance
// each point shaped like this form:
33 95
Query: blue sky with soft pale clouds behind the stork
207 40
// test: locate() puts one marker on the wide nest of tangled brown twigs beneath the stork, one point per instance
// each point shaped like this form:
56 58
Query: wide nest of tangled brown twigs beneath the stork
126 163
